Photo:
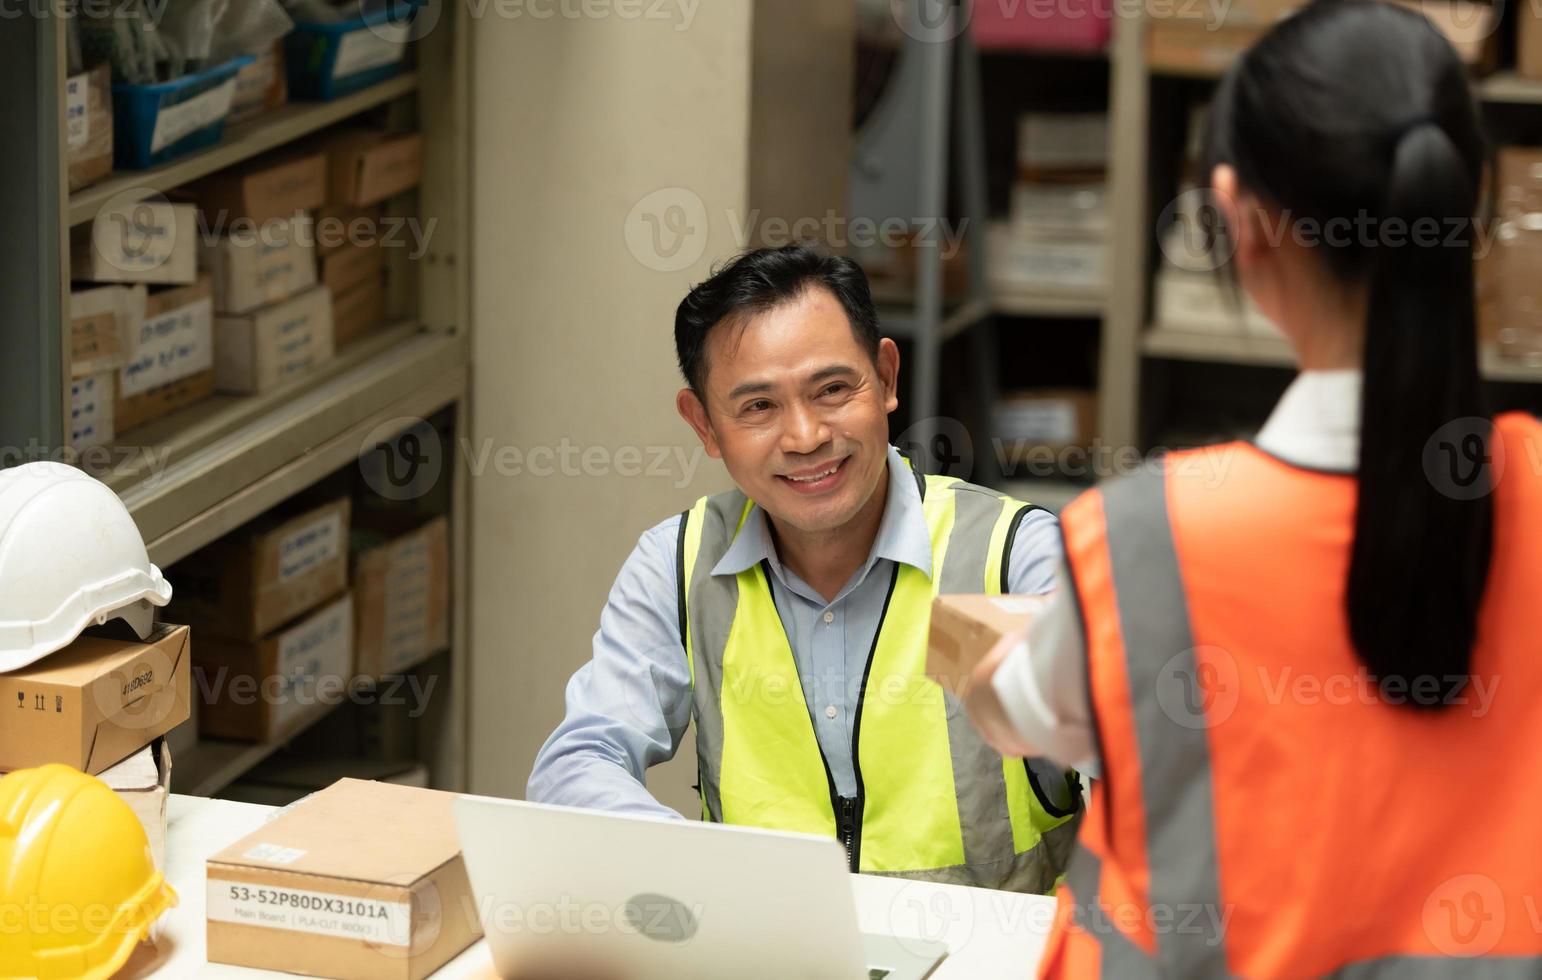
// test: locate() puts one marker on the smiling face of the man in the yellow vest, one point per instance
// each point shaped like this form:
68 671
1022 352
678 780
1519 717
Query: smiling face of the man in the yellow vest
798 411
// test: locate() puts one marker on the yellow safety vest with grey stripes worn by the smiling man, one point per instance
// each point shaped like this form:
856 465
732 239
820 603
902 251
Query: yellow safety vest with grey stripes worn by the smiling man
934 800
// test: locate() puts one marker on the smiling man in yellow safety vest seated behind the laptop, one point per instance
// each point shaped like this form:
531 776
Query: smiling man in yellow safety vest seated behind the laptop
789 619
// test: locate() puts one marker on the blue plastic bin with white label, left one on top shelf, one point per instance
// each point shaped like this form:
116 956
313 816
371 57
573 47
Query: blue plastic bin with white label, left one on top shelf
187 113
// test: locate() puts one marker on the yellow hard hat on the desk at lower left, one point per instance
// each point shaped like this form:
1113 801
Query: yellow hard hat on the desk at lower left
78 885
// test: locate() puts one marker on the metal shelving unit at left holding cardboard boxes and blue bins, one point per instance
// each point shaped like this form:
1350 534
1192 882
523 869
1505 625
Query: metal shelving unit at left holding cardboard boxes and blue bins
227 460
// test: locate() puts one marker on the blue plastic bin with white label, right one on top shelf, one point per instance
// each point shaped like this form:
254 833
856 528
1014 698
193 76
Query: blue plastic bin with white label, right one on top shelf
317 53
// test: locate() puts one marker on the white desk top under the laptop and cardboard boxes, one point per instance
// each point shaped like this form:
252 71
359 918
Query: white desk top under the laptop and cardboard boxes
991 935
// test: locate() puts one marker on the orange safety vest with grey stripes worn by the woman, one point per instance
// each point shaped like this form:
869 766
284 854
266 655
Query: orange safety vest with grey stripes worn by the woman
1265 810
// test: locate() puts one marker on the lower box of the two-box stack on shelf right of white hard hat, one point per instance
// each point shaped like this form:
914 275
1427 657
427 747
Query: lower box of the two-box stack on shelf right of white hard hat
266 690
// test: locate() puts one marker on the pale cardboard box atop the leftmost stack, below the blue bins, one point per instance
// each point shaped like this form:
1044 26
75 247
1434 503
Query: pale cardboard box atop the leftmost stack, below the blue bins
143 241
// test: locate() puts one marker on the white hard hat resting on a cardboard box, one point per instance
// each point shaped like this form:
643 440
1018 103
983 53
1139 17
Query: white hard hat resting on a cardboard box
70 559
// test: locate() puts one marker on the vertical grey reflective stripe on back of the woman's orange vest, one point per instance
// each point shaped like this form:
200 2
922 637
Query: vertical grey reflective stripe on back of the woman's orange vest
1173 745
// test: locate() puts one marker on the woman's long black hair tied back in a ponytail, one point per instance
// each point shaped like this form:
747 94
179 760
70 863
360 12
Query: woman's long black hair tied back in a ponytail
1361 109
